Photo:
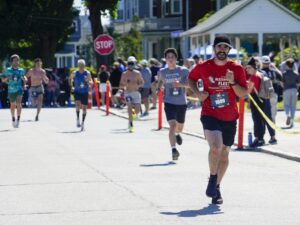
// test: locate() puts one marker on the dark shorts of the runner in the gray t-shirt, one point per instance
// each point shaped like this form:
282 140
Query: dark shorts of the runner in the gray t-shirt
175 112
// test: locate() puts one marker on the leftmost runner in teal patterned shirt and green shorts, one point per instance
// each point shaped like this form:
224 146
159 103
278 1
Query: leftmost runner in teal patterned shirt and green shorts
16 80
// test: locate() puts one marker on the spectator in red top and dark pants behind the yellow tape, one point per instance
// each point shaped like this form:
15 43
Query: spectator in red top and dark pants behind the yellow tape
255 79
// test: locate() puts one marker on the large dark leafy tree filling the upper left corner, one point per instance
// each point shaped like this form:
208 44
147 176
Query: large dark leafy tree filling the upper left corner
35 28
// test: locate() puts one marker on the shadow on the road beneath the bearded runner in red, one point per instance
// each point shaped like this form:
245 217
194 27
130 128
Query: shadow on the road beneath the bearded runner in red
208 210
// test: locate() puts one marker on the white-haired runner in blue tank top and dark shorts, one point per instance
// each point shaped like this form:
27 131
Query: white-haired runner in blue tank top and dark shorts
81 80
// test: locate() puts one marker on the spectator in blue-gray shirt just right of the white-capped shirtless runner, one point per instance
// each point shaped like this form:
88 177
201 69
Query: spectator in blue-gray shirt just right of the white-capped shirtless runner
145 91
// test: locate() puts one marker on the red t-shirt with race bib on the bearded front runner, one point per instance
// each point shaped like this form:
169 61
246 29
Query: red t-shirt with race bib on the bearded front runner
217 86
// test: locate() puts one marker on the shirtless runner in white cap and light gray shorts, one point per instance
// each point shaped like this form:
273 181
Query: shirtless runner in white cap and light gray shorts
131 82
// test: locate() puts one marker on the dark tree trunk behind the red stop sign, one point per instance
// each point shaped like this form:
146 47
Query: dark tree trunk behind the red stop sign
97 29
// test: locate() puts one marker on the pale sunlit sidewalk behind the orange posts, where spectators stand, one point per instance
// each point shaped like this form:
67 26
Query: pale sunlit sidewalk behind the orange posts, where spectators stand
288 144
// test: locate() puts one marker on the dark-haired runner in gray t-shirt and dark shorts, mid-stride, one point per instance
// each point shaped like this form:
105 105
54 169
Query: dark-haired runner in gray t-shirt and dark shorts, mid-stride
174 80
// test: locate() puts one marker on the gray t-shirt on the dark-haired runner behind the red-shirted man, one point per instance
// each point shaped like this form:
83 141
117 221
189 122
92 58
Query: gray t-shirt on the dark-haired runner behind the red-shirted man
176 96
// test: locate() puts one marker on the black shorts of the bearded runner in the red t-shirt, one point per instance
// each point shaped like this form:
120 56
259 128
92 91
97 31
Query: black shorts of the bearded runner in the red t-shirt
228 128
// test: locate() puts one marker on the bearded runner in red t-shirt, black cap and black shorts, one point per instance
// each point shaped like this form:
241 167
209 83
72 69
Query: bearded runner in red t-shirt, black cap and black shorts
222 81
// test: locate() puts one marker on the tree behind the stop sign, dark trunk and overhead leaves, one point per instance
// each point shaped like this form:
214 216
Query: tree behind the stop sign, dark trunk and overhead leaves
98 8
